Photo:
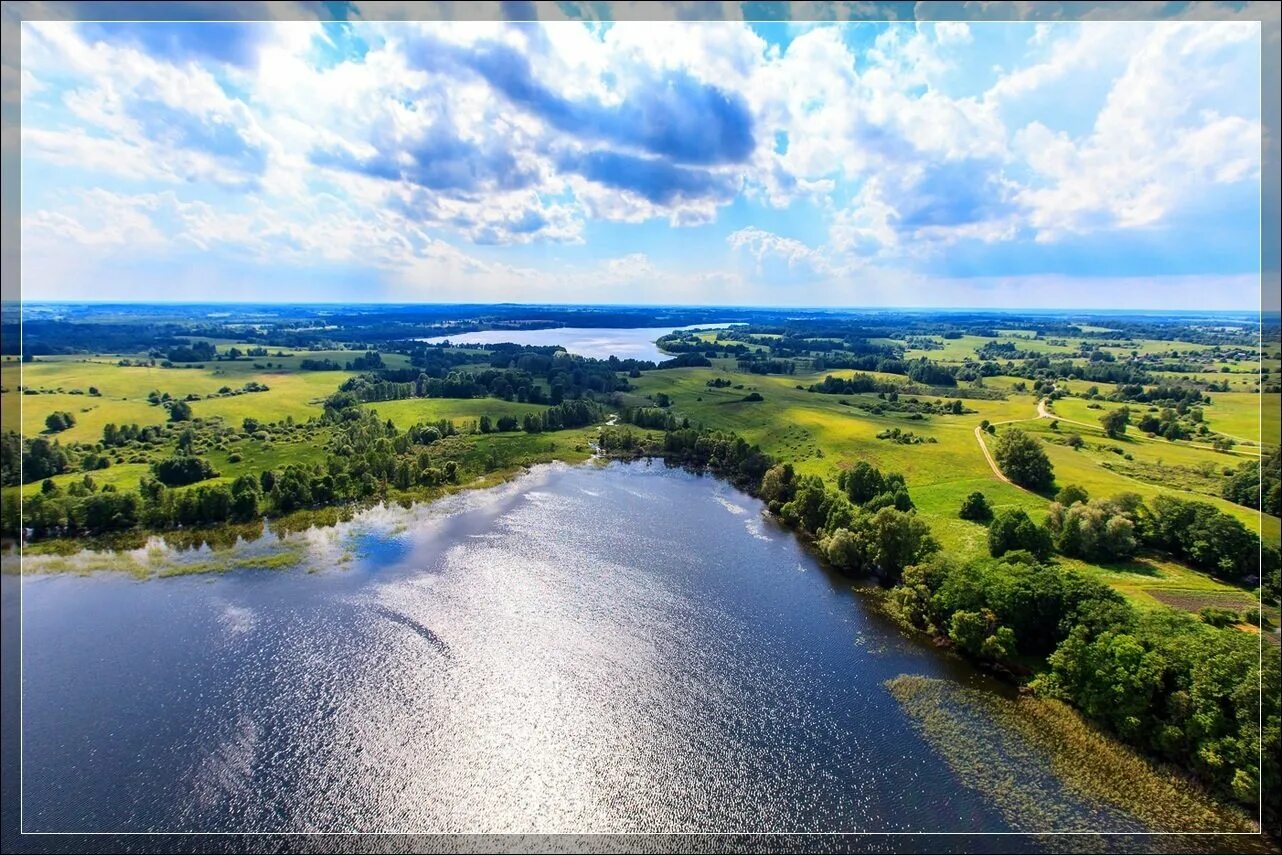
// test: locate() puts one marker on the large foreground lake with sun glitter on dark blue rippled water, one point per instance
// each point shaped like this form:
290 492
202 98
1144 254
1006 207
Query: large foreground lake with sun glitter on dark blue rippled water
620 648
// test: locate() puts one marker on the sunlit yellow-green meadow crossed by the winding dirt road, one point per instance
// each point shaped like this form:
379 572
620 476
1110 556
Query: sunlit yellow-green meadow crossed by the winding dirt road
821 436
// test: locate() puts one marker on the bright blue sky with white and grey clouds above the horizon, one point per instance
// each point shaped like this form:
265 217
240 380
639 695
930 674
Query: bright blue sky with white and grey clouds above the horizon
1076 165
